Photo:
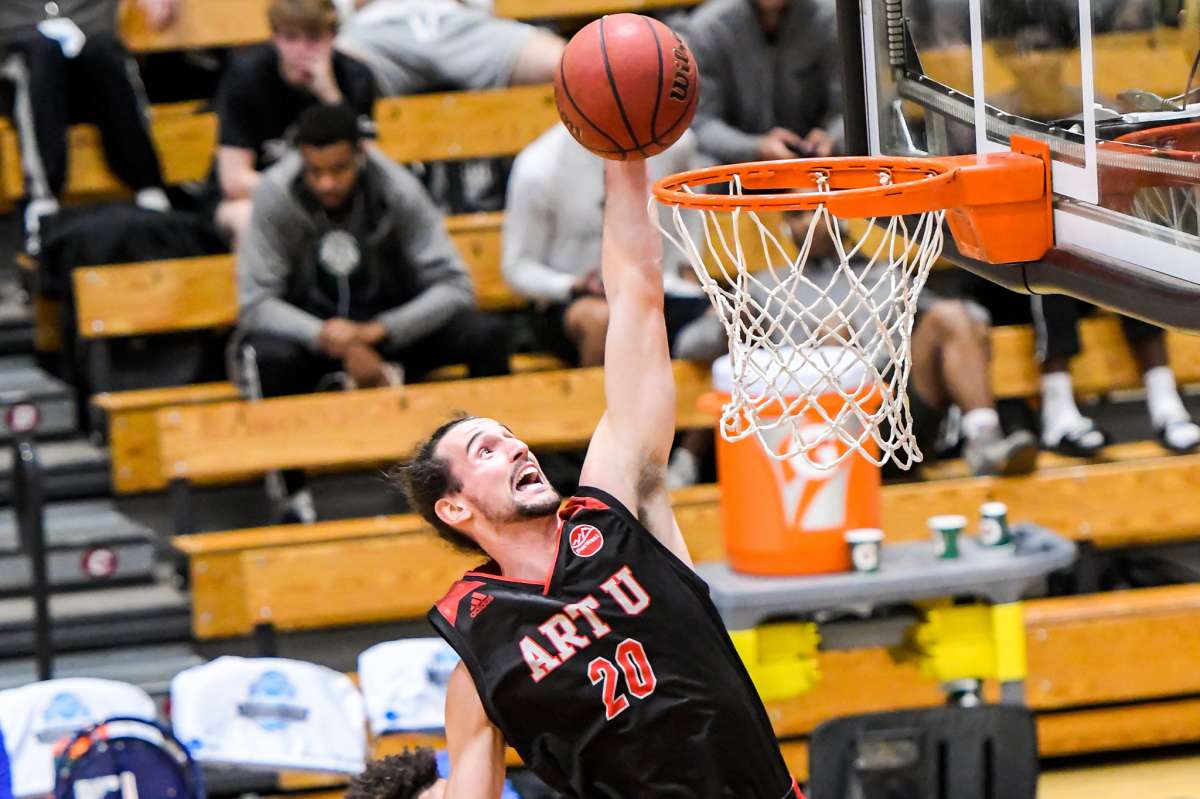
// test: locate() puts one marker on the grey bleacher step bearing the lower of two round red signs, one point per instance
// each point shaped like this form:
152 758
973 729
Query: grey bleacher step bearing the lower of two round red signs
89 543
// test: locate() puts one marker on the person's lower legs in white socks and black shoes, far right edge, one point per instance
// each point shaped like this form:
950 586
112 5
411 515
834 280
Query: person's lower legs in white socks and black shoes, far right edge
1067 431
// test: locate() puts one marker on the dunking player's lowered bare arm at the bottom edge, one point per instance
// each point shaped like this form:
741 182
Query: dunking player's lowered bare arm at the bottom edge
477 747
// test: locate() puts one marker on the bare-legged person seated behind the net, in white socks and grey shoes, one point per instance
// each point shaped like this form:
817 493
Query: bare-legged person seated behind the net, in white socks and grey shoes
951 355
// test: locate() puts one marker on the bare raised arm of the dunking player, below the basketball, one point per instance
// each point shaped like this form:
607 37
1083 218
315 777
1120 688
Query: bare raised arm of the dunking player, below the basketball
629 452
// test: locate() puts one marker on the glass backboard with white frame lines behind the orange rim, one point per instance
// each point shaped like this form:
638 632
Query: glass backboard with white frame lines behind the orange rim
1112 86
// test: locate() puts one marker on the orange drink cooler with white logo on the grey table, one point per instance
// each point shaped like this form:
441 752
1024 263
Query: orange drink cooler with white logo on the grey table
788 518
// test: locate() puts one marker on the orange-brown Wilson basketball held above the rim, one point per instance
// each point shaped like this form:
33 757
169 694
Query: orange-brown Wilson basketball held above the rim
627 87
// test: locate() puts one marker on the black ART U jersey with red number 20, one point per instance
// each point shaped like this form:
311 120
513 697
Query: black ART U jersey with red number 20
615 678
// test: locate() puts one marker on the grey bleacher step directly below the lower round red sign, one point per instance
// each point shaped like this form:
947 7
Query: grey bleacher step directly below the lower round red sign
103 618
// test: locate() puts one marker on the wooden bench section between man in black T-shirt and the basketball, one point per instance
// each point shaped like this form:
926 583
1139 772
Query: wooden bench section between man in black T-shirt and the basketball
465 125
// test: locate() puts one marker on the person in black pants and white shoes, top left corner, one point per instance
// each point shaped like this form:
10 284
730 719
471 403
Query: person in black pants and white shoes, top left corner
68 65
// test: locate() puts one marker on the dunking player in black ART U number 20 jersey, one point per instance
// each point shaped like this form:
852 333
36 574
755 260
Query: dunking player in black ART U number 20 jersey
589 642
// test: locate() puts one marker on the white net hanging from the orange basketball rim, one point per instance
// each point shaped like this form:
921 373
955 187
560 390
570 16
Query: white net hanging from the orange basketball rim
820 352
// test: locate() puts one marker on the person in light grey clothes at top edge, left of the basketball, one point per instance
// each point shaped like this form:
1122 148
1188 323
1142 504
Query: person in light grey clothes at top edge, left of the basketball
416 46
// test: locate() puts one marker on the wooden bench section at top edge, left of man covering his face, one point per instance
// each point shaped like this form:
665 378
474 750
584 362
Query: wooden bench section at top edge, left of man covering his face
199 25
